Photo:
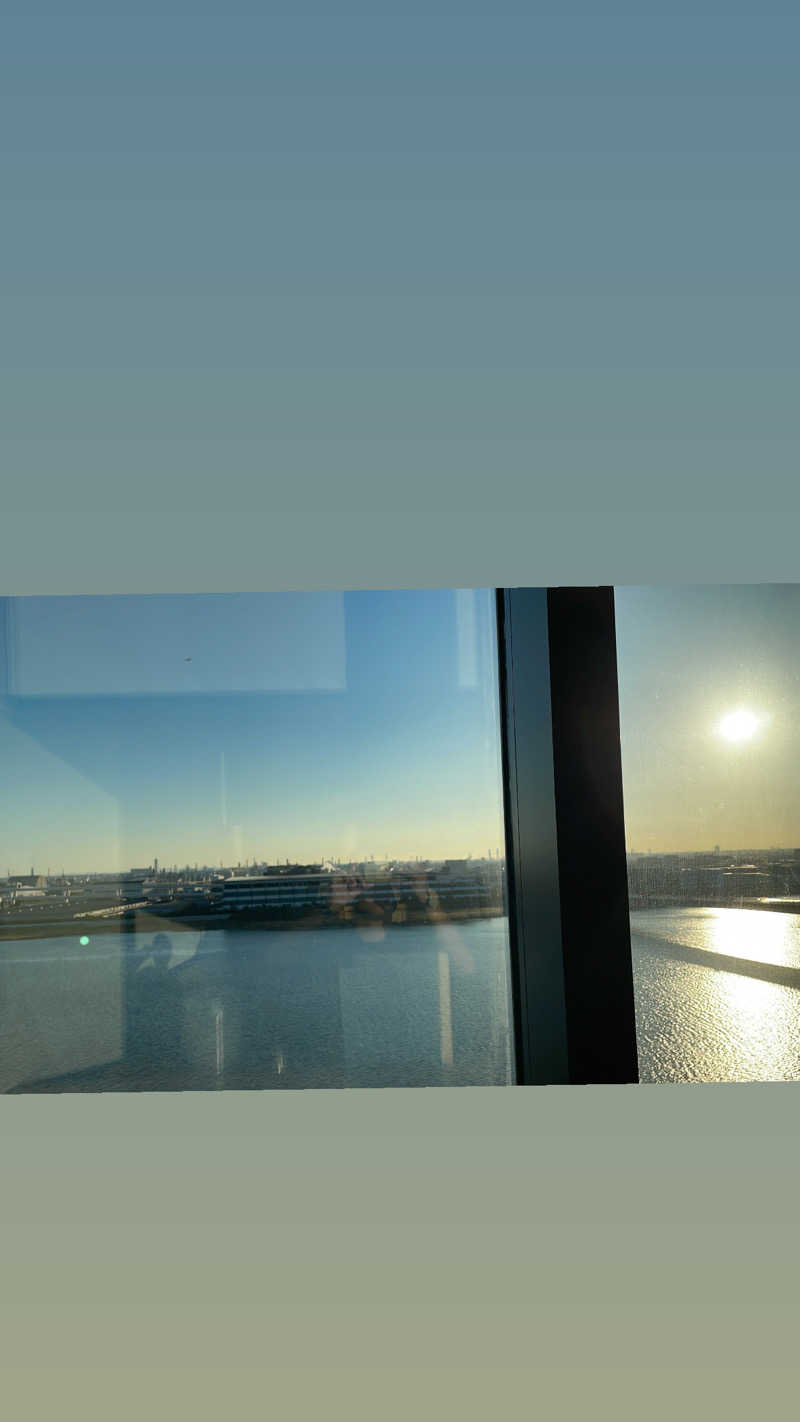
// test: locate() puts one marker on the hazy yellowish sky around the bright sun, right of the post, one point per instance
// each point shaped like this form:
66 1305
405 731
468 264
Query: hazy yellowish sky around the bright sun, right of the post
687 659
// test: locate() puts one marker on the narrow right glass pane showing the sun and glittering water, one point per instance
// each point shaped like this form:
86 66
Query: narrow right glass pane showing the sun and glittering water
710 700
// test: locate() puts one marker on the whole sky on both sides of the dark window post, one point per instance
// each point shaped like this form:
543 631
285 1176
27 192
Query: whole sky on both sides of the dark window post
346 726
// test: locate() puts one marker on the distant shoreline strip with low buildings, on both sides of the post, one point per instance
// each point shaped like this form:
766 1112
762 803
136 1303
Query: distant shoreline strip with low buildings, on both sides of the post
396 889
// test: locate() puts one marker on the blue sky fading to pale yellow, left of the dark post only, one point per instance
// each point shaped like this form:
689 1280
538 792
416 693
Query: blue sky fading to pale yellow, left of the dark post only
197 730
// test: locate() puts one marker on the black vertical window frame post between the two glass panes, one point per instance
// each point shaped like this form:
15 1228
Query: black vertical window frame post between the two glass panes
566 867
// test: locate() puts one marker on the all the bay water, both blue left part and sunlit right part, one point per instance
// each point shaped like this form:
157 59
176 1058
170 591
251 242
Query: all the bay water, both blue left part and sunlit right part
407 1006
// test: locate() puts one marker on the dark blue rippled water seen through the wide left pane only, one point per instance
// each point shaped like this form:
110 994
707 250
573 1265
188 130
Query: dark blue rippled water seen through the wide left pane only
345 1007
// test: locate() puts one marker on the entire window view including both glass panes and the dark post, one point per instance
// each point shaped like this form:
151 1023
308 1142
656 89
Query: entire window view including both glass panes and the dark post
400 838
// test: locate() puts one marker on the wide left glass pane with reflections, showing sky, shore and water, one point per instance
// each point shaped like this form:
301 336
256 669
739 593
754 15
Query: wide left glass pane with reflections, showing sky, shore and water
252 843
